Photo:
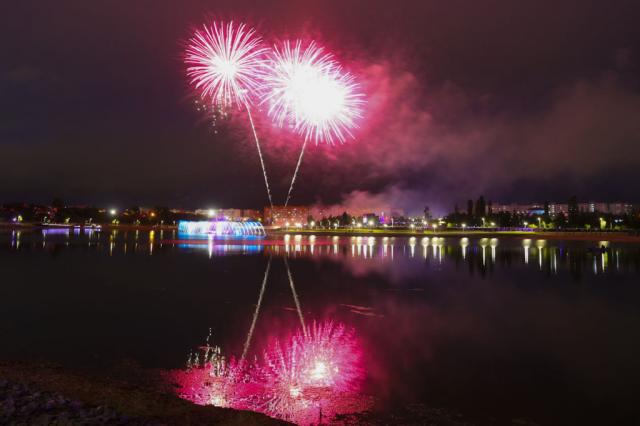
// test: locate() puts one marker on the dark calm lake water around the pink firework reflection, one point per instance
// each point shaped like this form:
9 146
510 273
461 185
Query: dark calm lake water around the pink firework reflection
494 329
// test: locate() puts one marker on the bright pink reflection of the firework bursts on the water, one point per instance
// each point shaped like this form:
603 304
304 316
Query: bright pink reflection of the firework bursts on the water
295 379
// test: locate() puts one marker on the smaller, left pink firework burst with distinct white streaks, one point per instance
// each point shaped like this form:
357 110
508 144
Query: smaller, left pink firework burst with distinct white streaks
225 62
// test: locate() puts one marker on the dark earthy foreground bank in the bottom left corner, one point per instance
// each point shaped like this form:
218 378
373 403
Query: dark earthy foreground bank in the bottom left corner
43 394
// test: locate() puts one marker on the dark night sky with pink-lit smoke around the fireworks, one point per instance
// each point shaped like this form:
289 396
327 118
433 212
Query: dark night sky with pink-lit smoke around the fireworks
516 100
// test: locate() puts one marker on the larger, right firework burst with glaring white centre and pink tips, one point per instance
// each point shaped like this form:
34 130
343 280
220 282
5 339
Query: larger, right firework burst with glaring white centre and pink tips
307 89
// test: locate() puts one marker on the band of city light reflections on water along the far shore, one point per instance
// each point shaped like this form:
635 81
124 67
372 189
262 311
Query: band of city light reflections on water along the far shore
483 254
